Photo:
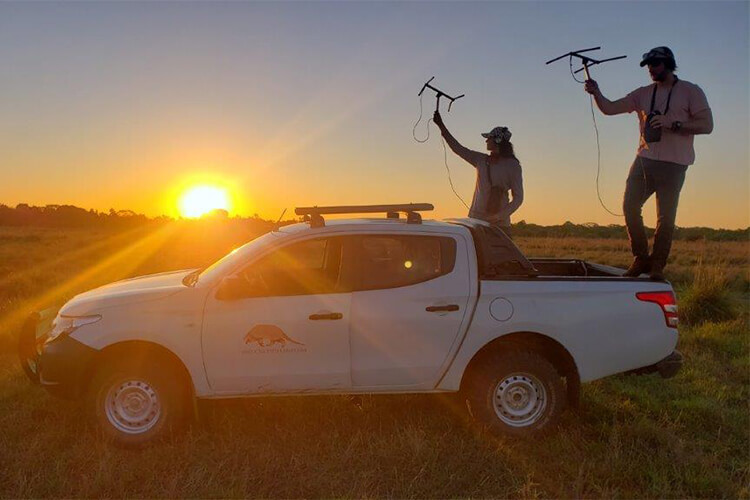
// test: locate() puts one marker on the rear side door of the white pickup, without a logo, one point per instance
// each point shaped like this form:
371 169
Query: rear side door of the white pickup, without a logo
408 307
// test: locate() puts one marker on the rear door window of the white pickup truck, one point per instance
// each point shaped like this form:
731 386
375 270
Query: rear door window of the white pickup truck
391 261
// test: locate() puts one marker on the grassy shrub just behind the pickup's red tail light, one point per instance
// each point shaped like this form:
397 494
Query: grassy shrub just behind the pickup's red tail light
708 297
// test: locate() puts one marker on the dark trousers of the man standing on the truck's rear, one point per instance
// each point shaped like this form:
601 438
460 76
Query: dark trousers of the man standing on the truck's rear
647 177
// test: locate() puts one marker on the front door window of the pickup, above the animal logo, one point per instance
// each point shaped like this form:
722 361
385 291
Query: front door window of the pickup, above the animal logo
304 268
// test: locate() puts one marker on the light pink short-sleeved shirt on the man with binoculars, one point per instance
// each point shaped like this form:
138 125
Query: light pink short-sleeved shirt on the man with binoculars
687 100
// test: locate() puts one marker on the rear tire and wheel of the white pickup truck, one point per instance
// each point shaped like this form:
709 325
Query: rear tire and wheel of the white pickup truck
516 392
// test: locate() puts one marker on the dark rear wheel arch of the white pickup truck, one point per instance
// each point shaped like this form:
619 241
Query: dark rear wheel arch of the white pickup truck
548 347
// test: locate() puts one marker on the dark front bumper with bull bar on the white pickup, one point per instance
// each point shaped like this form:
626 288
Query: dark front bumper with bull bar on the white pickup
59 366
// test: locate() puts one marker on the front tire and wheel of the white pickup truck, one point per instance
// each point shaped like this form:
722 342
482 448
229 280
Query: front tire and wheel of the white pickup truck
139 403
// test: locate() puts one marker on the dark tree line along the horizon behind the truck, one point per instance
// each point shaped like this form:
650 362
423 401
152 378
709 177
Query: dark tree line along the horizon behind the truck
61 216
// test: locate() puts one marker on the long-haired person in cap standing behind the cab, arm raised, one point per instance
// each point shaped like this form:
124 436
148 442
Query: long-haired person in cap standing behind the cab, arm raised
497 174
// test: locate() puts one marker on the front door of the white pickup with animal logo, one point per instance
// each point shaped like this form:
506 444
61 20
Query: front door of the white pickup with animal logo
288 331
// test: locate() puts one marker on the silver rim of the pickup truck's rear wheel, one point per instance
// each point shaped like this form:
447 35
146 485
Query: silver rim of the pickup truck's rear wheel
519 400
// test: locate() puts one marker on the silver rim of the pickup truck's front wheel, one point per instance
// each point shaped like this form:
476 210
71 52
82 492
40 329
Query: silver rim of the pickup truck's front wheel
132 407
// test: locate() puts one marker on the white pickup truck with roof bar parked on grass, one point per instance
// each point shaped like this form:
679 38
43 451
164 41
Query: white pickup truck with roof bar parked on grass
379 305
